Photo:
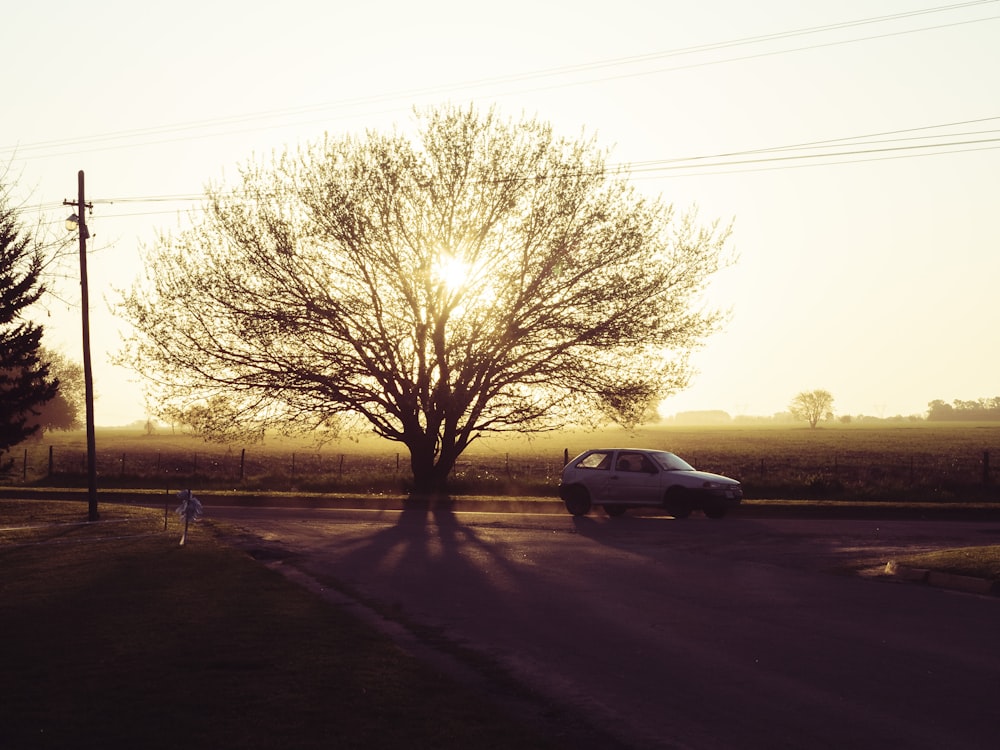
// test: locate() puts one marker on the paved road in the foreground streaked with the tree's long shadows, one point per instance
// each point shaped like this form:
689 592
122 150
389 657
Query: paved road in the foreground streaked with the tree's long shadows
743 633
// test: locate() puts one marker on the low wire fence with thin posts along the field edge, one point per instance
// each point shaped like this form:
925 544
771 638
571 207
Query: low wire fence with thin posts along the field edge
236 468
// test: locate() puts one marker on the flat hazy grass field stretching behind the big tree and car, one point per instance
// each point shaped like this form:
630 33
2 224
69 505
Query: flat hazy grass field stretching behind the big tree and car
892 461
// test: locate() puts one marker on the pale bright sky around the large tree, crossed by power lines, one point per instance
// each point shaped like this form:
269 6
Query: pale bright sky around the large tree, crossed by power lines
856 145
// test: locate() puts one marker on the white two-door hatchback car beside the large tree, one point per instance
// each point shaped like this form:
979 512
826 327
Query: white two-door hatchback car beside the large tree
623 478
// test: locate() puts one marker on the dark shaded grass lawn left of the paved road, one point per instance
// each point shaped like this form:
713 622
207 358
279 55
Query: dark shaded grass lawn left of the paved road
114 636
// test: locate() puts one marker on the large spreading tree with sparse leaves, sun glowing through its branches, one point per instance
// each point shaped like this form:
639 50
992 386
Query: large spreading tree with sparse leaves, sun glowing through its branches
483 276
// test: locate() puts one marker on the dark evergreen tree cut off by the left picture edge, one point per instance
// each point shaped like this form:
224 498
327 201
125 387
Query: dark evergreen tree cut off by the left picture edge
24 377
